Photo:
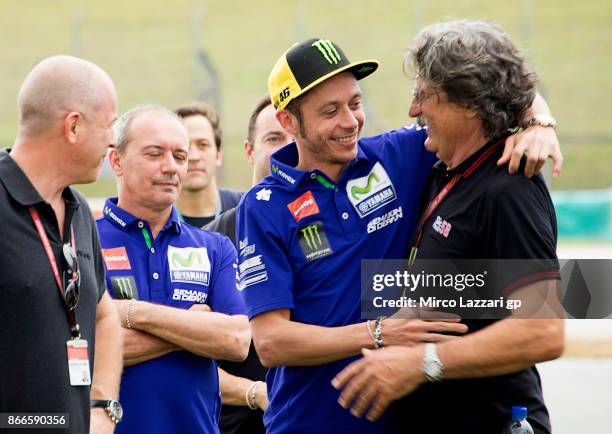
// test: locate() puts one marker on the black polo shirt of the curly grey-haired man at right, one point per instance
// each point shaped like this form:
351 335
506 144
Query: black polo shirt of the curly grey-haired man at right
489 214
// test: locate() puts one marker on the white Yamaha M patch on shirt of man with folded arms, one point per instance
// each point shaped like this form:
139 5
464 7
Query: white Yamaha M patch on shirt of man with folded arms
189 265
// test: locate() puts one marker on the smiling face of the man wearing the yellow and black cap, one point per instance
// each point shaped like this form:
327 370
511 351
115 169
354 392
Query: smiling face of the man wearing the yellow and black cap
332 120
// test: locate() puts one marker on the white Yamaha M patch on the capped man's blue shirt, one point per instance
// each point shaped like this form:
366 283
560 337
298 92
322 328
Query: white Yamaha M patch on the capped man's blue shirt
371 192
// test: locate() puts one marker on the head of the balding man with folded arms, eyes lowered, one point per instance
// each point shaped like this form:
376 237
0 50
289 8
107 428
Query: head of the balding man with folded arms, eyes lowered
154 162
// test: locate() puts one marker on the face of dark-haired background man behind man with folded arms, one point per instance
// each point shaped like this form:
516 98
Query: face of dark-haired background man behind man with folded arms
204 157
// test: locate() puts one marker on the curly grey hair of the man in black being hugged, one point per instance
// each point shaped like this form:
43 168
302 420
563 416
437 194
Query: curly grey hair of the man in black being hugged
478 67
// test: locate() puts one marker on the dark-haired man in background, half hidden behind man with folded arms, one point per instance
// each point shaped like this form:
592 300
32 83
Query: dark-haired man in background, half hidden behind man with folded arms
201 200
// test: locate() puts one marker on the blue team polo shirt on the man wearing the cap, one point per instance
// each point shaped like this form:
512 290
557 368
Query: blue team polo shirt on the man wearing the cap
301 239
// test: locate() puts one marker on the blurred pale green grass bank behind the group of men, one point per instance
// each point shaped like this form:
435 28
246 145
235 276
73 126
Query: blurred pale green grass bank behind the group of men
147 48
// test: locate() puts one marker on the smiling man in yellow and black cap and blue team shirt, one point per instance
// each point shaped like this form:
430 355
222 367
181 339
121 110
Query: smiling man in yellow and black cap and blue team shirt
331 200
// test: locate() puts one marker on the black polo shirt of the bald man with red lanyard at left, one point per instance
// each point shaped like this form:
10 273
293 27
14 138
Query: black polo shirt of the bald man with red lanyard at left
33 360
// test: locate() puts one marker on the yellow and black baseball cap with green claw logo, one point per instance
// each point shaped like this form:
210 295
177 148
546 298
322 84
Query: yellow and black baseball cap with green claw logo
307 64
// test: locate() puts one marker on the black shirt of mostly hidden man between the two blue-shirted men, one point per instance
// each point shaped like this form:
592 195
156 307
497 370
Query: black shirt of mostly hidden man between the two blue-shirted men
238 419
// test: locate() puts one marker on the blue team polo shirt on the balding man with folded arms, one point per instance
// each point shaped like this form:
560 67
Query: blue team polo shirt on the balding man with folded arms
178 392
